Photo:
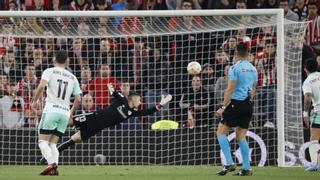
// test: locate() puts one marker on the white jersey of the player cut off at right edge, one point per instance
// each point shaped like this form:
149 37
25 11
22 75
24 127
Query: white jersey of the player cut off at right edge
312 85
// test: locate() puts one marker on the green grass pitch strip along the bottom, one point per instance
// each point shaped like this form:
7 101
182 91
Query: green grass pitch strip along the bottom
151 173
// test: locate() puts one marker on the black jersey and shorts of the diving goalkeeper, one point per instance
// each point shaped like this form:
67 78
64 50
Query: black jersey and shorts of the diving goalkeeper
117 112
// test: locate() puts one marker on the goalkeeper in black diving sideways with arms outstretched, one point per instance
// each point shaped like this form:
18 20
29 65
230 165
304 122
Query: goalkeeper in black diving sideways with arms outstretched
118 111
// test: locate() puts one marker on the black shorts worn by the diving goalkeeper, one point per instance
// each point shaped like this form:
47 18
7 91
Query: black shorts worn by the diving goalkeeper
87 125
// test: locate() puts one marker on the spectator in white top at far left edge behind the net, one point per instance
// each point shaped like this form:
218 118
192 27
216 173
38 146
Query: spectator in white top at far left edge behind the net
11 109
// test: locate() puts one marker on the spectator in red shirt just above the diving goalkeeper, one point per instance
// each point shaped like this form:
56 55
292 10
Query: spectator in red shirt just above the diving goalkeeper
98 87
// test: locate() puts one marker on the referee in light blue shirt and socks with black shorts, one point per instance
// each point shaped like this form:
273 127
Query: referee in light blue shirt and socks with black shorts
237 109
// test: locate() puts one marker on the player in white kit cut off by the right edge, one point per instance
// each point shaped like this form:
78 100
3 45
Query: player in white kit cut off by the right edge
311 91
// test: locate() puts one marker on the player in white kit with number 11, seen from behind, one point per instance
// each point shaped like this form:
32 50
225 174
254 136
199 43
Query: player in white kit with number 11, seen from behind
60 85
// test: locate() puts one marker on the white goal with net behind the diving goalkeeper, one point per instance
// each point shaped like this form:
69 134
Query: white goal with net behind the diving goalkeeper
148 52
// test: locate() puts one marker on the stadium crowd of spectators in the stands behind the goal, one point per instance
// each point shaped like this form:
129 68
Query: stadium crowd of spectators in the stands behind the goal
153 66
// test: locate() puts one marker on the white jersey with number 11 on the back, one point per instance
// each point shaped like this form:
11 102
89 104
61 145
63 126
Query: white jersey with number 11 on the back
61 84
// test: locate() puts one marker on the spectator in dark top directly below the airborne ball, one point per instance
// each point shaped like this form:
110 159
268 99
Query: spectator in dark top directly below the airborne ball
195 104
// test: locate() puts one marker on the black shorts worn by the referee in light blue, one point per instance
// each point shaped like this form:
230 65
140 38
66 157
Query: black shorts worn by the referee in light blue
238 114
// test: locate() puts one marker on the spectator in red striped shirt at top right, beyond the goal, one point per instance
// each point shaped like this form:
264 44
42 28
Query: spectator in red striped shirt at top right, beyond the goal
313 30
